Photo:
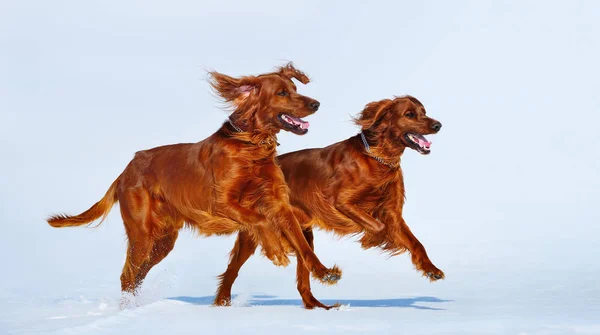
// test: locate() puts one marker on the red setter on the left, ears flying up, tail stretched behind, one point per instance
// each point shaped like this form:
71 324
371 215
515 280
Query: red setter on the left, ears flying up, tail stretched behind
224 184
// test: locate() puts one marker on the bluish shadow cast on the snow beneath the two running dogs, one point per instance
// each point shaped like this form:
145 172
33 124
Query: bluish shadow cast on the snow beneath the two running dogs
271 300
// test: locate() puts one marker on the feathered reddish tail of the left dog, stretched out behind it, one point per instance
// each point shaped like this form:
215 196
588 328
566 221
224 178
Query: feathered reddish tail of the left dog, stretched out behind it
99 209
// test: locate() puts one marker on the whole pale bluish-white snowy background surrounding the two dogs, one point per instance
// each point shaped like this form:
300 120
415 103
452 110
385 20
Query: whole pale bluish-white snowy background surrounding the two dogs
506 204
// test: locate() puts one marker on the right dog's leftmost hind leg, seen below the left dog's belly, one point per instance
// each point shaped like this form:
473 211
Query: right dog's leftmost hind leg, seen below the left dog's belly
243 249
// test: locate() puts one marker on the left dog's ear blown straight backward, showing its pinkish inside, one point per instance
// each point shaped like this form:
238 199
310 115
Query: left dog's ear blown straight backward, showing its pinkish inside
235 90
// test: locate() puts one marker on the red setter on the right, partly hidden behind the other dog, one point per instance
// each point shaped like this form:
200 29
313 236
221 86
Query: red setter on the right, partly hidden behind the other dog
355 187
